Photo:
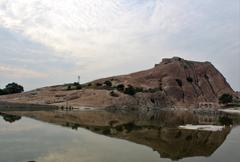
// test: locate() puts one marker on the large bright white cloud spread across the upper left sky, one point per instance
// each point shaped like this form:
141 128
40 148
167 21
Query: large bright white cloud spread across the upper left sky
88 28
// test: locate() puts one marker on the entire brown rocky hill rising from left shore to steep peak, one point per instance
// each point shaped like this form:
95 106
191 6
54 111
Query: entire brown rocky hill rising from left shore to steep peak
174 82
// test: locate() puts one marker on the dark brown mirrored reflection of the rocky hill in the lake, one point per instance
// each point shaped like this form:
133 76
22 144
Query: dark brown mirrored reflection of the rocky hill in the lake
157 130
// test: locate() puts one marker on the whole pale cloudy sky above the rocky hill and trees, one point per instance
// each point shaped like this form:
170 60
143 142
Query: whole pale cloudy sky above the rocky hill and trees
49 42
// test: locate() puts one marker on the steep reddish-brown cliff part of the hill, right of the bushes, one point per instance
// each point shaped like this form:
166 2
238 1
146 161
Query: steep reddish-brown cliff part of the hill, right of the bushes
179 83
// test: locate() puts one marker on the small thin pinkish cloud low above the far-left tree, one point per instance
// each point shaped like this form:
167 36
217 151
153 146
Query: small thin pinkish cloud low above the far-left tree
17 72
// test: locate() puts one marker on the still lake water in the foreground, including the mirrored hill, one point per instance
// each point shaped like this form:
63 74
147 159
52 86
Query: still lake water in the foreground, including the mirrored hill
107 137
